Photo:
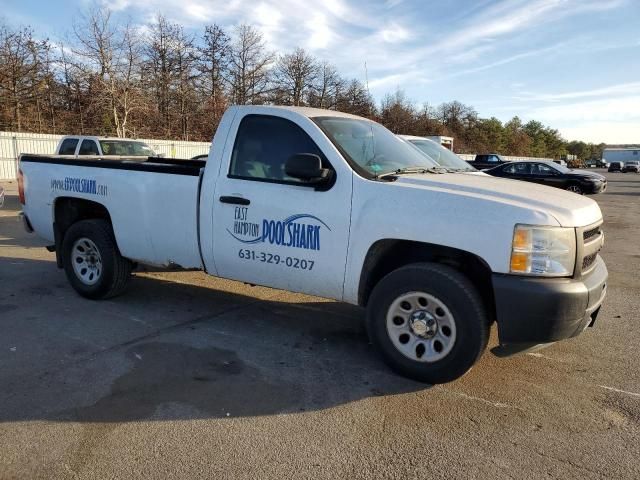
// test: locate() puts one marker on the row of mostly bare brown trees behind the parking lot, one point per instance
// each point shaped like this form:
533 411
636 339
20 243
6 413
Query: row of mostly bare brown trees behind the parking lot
159 81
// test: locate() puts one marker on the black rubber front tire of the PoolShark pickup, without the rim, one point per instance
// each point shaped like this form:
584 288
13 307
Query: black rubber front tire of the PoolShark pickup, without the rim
464 303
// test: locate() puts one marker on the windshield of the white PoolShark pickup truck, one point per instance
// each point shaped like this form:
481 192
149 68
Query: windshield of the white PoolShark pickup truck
371 147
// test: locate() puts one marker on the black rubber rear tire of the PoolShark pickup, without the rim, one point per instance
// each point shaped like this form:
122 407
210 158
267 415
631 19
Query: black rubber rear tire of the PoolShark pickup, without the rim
115 271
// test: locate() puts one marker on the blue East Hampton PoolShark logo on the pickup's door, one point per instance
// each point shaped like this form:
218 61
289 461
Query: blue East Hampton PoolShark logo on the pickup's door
297 231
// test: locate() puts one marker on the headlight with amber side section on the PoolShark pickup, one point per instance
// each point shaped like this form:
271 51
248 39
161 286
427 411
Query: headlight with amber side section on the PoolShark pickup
543 251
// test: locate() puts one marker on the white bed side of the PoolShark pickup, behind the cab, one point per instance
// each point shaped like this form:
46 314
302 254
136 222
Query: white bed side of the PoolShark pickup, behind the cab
152 202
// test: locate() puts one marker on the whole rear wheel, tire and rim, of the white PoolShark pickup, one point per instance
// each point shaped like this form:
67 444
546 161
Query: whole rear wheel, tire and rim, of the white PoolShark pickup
92 261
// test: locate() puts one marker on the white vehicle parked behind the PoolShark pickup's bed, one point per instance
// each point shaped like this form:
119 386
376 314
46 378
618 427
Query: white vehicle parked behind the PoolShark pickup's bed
87 146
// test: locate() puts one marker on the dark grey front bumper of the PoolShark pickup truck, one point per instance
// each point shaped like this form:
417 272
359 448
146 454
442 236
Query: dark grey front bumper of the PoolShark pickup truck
533 311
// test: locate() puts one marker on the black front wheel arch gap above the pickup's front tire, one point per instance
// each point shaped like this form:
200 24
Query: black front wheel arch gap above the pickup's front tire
387 255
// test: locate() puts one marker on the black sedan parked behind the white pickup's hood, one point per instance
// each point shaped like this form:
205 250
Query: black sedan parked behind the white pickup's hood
553 175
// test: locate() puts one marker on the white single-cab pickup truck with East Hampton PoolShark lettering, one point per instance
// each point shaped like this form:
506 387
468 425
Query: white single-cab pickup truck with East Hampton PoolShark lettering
336 206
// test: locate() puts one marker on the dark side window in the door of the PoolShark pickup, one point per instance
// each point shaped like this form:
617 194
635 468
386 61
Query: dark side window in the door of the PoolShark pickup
264 144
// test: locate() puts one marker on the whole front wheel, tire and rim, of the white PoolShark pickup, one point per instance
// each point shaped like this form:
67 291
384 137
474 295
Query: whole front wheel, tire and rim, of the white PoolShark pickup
428 322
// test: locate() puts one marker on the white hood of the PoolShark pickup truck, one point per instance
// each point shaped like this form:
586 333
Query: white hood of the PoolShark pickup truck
569 209
